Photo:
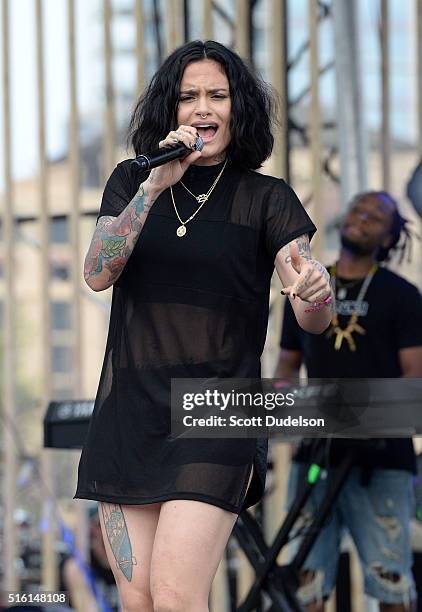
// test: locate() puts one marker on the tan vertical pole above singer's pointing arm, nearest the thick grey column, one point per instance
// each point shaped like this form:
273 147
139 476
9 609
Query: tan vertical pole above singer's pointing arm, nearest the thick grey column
315 127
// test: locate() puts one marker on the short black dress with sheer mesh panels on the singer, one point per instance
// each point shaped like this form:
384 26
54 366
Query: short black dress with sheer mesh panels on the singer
188 307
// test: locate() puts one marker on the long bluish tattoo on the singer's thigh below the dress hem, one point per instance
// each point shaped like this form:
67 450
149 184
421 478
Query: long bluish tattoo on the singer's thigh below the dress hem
118 537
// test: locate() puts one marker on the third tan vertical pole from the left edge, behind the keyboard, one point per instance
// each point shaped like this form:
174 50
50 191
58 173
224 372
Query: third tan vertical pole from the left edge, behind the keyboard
74 162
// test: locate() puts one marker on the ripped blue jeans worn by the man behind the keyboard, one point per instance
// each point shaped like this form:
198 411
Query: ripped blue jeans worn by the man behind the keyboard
377 517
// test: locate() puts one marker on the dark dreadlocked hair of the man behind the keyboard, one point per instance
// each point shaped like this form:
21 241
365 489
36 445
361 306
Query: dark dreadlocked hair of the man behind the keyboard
401 235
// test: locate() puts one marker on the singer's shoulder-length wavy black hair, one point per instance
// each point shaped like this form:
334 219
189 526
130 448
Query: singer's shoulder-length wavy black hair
253 104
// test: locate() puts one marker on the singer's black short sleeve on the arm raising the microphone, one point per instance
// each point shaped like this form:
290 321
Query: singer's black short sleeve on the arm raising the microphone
118 192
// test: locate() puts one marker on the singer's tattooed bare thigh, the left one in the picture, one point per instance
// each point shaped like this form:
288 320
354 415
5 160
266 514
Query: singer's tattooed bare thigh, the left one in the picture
128 533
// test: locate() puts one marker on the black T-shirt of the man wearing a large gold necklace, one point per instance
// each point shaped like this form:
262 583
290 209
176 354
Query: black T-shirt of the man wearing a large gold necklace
391 315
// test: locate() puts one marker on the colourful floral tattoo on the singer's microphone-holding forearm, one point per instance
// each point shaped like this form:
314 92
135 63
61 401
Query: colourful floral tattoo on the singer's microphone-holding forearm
115 237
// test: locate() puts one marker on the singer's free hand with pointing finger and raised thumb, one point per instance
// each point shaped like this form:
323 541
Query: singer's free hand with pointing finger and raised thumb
313 282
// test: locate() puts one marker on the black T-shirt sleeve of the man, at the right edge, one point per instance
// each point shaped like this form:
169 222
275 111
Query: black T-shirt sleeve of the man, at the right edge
409 318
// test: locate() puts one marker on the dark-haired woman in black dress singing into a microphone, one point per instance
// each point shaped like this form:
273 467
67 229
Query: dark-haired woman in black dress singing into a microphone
190 251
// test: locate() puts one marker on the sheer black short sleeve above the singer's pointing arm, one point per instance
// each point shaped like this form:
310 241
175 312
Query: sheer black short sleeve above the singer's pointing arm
286 219
